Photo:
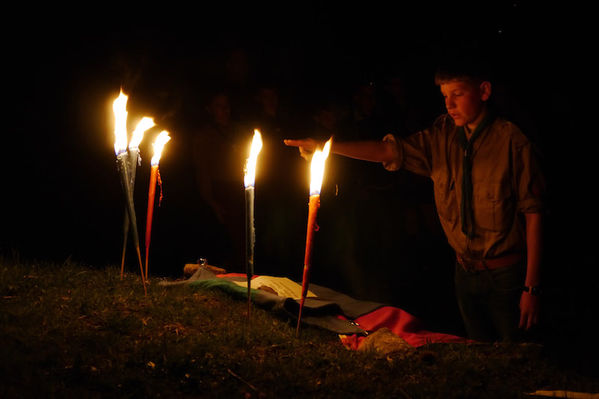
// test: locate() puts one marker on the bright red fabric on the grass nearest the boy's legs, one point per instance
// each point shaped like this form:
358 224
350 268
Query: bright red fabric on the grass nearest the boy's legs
401 323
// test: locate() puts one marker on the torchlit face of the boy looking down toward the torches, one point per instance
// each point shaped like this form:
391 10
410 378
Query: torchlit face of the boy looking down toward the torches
465 100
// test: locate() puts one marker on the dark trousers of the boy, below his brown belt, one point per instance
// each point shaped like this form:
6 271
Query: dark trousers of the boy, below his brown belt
489 302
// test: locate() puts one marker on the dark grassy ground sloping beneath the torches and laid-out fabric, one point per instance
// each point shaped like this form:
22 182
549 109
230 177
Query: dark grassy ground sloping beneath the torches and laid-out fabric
71 330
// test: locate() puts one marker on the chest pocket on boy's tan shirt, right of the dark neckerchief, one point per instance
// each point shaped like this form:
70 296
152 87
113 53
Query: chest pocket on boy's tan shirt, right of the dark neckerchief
493 207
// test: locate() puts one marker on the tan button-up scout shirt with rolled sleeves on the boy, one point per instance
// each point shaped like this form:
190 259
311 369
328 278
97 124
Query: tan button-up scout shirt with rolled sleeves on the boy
506 182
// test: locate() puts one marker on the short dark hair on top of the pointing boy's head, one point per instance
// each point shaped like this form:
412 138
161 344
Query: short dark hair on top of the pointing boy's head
473 69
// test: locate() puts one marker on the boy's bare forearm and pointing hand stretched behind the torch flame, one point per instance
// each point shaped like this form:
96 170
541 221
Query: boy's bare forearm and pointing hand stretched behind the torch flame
374 151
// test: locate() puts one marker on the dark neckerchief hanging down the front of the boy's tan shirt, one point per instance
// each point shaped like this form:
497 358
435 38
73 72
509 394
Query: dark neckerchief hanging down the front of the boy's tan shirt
466 212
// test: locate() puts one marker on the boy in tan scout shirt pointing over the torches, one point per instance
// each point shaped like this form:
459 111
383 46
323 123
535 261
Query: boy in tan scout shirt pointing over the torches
488 190
